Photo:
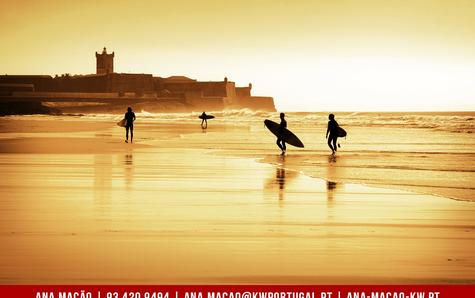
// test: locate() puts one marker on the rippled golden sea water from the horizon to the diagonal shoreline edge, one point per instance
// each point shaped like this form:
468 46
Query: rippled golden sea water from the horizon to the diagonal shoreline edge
430 153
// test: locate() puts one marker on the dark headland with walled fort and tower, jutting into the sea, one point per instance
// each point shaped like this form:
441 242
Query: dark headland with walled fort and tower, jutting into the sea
107 91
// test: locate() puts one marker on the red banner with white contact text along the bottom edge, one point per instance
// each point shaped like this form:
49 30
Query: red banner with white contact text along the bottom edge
232 291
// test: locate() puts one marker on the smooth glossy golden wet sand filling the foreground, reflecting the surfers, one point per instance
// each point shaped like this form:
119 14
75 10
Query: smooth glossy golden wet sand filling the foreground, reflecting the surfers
171 210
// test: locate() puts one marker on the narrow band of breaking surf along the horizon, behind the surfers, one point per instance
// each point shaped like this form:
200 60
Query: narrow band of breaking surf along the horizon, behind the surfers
457 122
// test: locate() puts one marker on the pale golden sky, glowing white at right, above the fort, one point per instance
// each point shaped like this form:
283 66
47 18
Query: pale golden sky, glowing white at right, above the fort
401 55
